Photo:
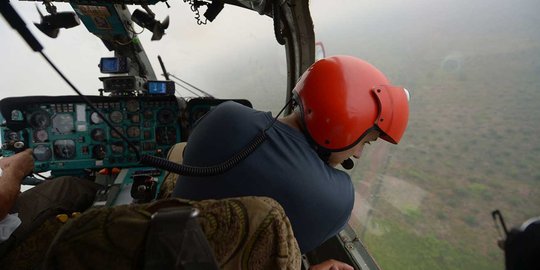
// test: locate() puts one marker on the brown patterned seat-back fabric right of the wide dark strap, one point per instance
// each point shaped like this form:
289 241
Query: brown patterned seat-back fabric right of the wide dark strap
249 233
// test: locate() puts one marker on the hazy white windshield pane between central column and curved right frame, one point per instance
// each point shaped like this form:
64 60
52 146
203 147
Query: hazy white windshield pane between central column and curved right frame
236 56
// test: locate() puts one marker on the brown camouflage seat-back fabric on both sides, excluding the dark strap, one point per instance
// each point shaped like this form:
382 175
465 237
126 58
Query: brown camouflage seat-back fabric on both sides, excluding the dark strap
244 233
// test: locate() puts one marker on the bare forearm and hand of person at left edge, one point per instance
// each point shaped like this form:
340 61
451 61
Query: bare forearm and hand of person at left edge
14 169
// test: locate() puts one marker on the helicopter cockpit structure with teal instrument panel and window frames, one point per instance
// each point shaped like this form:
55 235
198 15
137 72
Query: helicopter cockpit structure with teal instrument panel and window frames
136 115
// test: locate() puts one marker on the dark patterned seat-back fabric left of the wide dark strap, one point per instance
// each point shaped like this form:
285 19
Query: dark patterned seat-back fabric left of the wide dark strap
101 238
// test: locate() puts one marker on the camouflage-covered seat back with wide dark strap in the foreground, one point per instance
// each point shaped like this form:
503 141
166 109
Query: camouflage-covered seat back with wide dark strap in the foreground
241 233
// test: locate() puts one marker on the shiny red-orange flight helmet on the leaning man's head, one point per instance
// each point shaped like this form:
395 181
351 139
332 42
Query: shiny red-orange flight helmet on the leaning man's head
342 98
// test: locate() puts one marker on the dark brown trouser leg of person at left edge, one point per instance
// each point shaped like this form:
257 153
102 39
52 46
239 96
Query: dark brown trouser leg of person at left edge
37 210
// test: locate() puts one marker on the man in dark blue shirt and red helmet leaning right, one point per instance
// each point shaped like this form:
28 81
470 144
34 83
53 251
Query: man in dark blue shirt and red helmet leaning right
343 103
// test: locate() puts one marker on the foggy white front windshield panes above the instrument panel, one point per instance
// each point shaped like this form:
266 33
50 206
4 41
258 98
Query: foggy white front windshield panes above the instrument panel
235 56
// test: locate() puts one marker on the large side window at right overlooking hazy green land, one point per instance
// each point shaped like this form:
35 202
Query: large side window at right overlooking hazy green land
473 70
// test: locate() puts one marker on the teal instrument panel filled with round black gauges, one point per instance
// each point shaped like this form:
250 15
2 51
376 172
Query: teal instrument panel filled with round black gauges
66 134
